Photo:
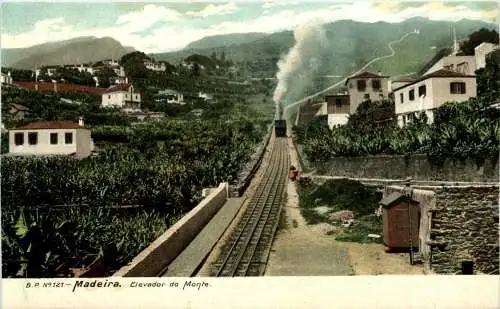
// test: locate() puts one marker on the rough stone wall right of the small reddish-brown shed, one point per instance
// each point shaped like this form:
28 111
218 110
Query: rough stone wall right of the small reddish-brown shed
458 223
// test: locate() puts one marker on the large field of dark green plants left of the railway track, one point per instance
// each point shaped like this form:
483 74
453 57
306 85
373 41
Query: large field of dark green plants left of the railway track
160 166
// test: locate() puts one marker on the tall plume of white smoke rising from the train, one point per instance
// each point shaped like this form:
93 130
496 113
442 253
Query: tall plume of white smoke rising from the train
297 69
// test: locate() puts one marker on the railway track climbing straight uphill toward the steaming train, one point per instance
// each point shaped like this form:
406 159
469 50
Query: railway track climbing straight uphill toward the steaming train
247 249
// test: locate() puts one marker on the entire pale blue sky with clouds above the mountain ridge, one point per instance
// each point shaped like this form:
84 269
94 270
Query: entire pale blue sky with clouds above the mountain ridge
165 26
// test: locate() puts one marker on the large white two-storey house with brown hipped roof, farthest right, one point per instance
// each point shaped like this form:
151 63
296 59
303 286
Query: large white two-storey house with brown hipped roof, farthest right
430 92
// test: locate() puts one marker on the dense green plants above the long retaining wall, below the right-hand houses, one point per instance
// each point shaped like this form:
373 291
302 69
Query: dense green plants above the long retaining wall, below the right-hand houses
468 129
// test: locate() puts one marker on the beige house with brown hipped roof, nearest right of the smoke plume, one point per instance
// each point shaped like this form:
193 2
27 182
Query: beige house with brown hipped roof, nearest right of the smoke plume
366 86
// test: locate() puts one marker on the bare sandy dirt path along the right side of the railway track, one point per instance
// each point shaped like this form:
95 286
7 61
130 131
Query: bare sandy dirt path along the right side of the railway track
305 250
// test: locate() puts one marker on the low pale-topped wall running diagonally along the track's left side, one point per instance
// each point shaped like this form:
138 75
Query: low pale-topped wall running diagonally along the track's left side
155 258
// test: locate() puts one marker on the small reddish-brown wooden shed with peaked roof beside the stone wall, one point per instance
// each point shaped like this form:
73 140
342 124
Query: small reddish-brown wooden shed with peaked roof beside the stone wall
401 220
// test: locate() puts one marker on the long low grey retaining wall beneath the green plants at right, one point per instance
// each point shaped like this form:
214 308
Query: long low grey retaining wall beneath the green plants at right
417 166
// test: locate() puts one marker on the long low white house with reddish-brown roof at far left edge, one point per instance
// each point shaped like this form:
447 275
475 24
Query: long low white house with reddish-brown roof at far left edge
51 138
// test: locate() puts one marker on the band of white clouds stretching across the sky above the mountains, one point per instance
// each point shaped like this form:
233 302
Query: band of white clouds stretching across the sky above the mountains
170 36
